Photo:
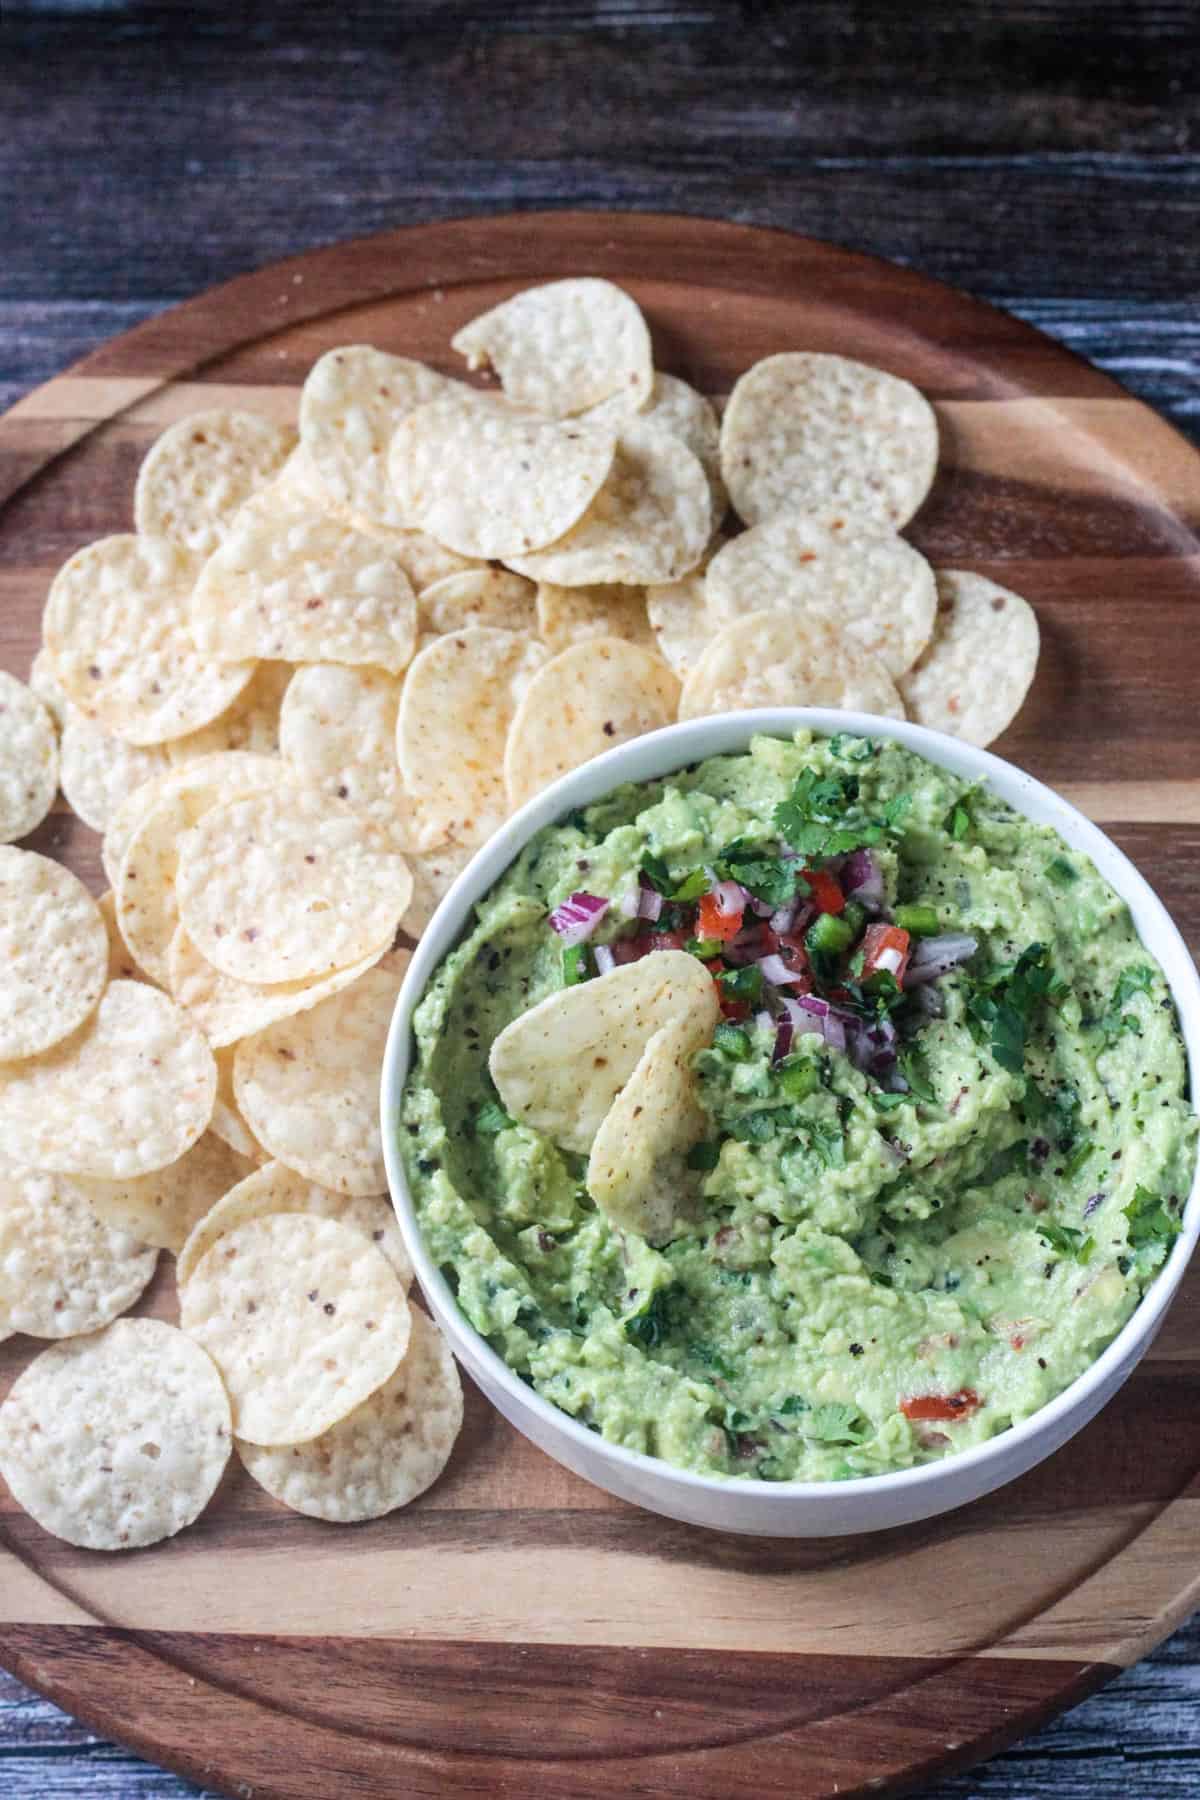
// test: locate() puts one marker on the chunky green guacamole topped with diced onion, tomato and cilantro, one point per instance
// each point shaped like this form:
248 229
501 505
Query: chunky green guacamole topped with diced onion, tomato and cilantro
945 1138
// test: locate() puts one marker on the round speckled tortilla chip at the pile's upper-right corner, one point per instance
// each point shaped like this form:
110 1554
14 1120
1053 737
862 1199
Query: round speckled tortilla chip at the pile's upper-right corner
830 438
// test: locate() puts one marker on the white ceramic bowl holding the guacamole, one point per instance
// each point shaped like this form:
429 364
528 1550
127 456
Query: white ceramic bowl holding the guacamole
789 1509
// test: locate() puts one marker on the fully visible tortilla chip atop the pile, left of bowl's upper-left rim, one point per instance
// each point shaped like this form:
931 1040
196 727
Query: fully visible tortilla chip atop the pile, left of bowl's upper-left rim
287 886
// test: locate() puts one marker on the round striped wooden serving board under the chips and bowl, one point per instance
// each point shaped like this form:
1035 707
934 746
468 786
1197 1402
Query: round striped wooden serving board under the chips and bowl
517 1632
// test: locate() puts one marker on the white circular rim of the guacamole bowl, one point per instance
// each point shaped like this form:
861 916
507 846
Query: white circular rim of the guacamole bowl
674 750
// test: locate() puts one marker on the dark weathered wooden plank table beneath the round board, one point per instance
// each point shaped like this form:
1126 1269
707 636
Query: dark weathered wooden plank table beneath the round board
1043 154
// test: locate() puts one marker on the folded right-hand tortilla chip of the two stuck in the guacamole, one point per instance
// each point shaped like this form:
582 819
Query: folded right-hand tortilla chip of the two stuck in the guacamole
638 1169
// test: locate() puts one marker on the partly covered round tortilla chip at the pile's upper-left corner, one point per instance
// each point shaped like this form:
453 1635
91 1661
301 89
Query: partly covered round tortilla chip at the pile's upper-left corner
202 471
